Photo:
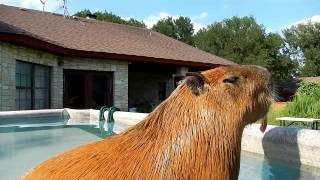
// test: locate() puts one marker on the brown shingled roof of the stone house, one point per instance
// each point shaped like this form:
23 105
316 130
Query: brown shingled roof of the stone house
91 38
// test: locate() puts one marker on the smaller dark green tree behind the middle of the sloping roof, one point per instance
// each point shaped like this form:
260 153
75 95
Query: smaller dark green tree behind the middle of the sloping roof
180 29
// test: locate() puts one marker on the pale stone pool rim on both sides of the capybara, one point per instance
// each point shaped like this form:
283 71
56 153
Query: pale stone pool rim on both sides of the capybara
294 145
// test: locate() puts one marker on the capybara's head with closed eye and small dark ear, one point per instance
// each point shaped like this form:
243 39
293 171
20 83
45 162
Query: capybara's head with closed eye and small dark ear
243 91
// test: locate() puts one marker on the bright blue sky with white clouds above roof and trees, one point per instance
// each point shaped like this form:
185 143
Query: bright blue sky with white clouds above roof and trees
273 14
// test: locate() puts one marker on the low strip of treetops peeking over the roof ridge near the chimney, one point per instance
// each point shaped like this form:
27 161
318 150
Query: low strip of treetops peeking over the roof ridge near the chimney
109 17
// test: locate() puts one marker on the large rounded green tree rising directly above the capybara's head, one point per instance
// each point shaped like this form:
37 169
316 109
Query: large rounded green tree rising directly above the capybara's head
232 38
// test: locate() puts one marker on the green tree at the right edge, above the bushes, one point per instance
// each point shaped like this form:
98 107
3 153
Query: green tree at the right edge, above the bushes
303 44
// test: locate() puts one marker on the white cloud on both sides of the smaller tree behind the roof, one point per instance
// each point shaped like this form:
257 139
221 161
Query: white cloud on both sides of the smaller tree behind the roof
195 19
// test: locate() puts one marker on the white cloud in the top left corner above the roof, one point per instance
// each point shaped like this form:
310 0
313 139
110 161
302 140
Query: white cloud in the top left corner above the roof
51 5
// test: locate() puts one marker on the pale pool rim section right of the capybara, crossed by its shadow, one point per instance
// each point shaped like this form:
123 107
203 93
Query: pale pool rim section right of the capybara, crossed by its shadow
294 145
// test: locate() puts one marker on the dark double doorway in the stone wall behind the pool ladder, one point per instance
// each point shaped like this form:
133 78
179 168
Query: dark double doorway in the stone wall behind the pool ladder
87 89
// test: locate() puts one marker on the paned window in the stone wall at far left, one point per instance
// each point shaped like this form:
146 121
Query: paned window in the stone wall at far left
32 86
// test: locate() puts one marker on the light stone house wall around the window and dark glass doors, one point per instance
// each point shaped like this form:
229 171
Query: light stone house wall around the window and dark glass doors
9 53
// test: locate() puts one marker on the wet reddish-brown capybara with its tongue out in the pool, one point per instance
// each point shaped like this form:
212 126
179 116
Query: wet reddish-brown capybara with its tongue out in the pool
194 134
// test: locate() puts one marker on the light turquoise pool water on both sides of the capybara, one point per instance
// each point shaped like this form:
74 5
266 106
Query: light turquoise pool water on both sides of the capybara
22 146
